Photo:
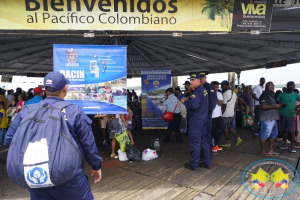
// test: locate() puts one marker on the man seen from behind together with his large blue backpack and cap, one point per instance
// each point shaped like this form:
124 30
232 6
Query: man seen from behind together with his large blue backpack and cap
48 142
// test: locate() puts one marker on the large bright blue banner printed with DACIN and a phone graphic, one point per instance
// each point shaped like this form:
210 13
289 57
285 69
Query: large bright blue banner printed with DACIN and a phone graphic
97 75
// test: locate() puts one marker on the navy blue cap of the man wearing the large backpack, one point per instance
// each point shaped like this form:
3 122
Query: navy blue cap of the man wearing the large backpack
55 81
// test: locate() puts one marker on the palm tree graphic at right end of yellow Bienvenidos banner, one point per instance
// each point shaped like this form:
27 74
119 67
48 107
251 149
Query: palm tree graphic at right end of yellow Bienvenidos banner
222 8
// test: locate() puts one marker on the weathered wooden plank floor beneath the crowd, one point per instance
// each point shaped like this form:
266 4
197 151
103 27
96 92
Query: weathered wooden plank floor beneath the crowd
166 177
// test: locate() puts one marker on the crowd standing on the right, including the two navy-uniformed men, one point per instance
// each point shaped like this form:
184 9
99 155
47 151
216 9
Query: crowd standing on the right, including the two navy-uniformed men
213 111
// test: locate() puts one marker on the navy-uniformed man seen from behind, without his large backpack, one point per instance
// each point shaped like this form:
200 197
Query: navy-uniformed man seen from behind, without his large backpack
80 127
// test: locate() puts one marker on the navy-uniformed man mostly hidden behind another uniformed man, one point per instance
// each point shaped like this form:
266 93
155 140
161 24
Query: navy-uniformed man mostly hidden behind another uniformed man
212 101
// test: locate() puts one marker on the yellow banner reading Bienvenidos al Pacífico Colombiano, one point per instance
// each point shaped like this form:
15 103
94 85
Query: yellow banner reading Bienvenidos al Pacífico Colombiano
151 15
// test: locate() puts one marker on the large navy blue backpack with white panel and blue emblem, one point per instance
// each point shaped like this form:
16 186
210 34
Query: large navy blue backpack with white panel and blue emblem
42 152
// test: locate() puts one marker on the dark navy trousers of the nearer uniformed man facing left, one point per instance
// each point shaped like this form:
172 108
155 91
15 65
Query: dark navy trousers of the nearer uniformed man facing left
200 141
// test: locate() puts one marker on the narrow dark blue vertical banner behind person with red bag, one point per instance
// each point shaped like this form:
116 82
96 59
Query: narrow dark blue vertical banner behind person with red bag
154 85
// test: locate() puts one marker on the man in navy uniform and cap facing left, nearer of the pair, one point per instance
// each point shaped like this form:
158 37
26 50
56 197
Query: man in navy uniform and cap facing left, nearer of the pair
197 106
